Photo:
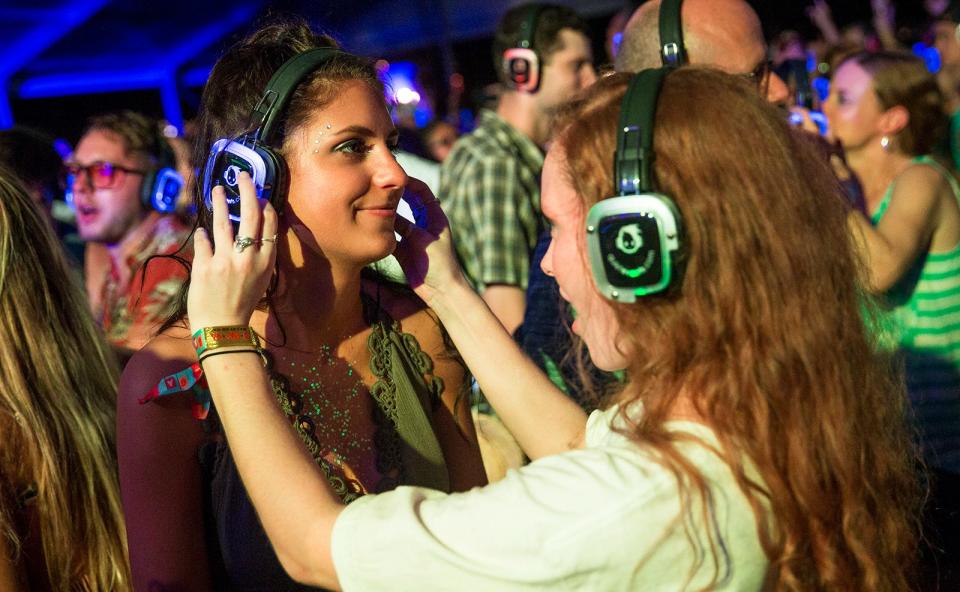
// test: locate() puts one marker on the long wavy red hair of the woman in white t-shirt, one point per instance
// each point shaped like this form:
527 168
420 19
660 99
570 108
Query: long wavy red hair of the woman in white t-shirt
764 334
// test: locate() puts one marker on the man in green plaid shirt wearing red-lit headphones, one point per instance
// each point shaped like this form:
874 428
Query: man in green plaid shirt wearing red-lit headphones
490 183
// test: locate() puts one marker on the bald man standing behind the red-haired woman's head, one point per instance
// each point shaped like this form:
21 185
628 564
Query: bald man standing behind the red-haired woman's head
725 34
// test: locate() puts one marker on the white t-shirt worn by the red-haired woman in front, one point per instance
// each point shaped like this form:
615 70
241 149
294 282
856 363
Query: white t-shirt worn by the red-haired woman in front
604 517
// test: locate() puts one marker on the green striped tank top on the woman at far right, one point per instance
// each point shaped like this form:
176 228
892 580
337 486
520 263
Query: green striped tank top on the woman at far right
922 318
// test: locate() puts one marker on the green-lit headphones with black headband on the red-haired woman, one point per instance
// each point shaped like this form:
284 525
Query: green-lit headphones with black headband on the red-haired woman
633 238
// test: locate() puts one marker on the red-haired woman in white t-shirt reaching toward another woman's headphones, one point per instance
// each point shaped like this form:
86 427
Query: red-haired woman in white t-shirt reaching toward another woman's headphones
758 441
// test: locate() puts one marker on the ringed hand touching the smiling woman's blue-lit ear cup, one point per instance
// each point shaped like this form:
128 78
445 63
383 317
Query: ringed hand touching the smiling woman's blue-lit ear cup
229 277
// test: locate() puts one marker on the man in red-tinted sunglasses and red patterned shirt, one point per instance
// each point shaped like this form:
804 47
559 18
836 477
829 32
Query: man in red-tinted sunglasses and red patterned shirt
106 177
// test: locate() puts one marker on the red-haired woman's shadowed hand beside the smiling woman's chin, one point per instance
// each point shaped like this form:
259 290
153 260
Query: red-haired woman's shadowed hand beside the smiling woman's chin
426 252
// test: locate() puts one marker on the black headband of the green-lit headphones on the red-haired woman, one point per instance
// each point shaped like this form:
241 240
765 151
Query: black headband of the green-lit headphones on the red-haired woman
634 162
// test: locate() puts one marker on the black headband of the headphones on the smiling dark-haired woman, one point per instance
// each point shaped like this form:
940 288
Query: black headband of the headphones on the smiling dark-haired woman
281 87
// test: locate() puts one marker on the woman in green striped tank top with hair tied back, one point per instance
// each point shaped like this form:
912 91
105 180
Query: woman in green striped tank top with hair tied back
887 111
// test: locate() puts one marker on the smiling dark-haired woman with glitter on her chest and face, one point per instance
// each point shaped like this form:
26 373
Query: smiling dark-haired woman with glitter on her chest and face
360 368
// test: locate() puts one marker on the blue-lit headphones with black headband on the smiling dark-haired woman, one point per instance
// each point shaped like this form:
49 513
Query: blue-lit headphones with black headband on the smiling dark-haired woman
251 152
